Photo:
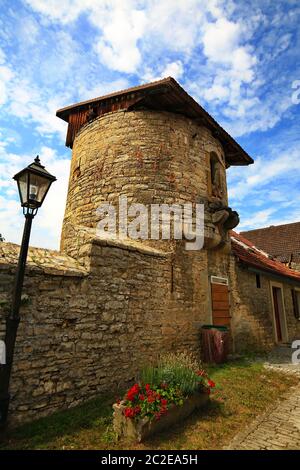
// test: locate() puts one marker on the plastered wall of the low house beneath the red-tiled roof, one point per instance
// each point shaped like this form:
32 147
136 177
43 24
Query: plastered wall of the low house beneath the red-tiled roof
252 310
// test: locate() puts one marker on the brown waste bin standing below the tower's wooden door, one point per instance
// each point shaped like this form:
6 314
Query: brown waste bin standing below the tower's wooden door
214 343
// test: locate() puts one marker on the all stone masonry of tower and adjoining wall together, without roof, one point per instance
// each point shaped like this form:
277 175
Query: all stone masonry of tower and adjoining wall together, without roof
101 308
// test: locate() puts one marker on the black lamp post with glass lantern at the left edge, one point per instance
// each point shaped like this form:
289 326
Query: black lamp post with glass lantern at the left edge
33 184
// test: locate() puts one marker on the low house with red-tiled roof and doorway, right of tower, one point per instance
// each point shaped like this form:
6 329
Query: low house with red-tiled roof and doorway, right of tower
264 297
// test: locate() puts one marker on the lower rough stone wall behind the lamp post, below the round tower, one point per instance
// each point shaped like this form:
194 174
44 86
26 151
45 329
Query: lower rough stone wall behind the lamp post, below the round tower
86 330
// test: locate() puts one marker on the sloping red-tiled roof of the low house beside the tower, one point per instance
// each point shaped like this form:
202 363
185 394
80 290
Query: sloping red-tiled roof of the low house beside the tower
249 254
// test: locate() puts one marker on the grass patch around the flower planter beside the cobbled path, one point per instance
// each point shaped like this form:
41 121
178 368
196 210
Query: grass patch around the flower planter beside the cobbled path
244 390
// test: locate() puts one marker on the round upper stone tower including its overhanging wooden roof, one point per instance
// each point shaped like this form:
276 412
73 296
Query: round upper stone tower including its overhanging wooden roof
153 144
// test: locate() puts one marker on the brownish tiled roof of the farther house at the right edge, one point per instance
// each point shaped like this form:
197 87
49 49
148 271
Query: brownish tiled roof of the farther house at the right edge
280 241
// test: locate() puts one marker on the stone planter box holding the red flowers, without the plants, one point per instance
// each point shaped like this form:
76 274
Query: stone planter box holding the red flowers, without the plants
138 430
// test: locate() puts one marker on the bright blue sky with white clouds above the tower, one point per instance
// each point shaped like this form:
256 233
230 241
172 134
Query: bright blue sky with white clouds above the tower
239 59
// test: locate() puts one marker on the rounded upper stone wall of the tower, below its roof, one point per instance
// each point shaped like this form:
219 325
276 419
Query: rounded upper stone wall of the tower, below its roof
148 156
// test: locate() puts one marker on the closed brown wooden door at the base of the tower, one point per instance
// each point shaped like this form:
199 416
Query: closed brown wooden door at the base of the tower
220 305
